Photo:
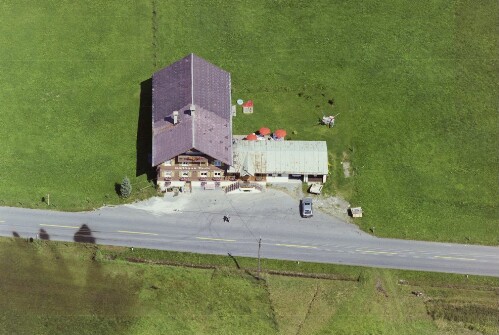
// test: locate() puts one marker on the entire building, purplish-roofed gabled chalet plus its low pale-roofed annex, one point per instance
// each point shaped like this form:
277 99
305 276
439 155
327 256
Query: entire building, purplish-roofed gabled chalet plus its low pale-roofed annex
192 139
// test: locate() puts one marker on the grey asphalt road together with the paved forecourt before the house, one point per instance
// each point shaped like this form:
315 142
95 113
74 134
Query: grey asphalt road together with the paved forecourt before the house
193 222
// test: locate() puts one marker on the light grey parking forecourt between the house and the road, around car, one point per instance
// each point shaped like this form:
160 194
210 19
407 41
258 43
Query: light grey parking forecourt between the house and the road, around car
278 204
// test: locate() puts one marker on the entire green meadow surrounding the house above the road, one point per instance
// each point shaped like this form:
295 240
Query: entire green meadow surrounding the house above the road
415 85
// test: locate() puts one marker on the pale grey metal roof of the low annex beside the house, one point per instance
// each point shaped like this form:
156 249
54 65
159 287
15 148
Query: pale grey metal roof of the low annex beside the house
286 157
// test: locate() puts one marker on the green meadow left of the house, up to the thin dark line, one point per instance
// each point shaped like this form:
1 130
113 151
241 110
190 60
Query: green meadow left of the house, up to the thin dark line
70 98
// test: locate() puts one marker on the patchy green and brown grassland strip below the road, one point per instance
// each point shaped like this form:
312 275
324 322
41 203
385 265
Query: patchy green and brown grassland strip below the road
67 288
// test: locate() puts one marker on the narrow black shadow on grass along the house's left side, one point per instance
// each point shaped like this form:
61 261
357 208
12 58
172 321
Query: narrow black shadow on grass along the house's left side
144 132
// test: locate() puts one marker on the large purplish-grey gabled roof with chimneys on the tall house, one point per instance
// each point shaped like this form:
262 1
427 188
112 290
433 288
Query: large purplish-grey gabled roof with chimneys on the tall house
191 81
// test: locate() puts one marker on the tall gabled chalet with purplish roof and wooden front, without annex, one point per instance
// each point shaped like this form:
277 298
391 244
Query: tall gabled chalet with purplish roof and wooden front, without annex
192 122
